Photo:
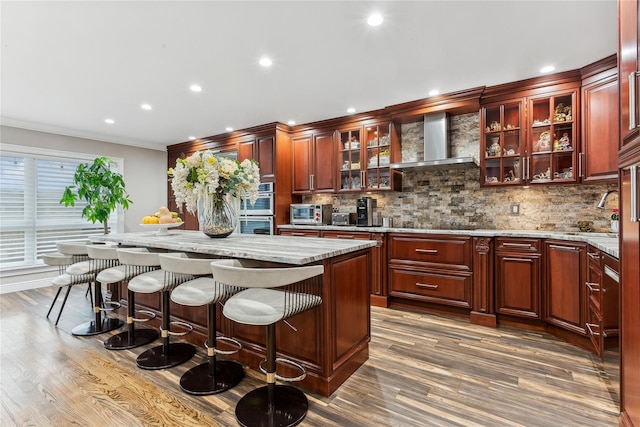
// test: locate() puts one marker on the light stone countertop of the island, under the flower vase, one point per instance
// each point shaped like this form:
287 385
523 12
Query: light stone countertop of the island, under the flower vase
280 249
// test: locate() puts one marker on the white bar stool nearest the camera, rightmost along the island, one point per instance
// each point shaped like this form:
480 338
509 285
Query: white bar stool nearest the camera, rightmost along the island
294 290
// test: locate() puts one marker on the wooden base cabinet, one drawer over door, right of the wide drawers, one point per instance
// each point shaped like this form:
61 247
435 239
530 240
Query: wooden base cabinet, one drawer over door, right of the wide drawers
518 277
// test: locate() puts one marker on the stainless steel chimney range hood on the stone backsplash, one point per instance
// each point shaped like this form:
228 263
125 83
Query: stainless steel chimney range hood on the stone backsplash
436 148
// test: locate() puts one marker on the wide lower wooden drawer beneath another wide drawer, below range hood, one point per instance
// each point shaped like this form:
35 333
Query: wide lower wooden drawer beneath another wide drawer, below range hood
435 286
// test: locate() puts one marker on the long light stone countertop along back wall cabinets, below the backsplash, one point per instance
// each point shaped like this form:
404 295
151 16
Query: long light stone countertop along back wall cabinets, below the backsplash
606 242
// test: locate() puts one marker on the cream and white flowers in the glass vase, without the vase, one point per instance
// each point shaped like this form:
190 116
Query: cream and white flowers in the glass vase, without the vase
205 174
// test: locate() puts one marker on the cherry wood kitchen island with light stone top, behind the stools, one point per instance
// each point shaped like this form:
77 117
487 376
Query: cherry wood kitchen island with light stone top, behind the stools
331 341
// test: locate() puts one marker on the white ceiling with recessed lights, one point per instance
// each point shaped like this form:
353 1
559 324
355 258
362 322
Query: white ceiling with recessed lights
66 66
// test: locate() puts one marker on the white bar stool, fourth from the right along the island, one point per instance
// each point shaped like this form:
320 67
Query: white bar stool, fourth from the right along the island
133 262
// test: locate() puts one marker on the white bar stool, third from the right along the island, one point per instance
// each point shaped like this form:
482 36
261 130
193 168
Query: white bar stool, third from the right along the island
175 270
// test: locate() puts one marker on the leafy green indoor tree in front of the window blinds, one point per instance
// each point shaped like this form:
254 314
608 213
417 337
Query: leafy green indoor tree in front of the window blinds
101 188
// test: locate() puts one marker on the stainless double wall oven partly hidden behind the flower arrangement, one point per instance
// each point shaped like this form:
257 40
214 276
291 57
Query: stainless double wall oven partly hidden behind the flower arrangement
258 219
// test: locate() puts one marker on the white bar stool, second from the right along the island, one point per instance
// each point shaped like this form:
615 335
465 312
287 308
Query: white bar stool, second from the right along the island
213 376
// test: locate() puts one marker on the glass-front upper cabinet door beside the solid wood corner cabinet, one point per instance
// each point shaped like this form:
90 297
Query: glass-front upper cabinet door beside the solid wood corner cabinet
552 137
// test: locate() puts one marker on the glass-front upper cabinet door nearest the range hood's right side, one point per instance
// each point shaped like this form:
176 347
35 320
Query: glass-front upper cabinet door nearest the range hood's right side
502 146
